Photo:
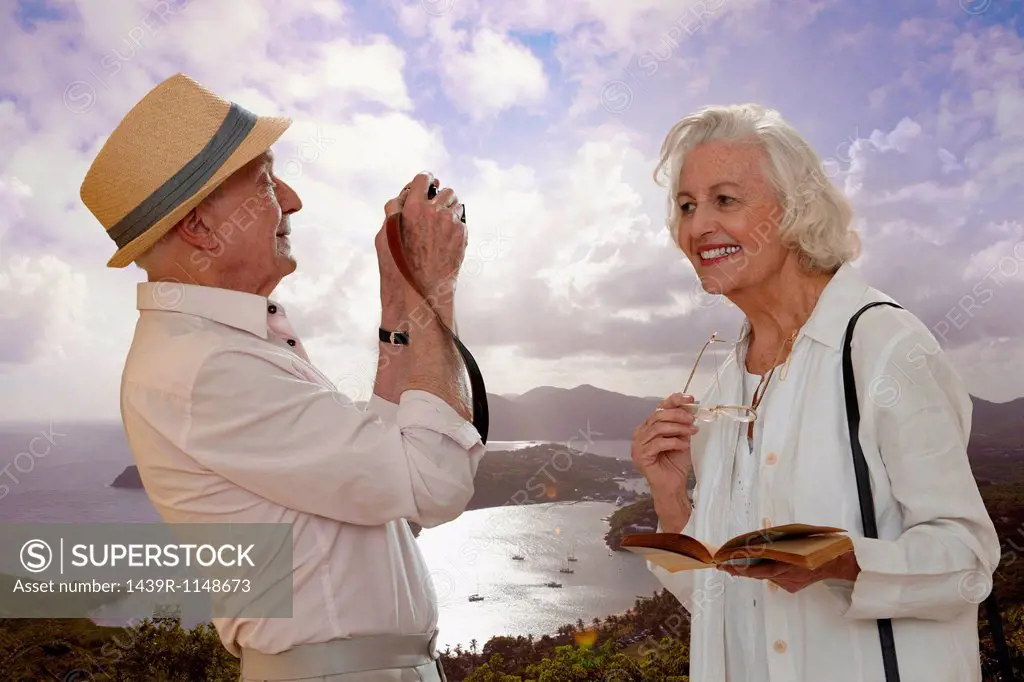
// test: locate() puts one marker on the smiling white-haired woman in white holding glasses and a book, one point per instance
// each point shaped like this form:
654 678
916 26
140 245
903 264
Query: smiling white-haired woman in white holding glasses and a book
767 231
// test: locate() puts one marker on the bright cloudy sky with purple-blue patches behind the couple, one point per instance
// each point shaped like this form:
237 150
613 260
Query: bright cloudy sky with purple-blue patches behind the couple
547 118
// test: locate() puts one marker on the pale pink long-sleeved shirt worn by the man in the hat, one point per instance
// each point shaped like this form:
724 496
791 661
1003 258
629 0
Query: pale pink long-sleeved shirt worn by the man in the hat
229 422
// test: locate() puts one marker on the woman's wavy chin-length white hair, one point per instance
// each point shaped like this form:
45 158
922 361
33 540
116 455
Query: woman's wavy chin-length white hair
817 217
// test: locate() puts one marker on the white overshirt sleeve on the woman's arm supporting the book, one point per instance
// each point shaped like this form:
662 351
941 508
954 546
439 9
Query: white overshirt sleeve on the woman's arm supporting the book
944 562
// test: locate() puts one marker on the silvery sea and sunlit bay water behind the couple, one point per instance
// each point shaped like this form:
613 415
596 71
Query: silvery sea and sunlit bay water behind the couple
471 556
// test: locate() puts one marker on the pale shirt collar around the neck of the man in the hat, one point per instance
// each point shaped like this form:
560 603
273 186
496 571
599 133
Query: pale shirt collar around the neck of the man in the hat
235 309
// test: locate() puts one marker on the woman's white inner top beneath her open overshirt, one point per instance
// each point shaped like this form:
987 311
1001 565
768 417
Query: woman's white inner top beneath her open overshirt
745 640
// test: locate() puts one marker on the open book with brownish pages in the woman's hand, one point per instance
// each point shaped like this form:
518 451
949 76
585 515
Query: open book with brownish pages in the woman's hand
798 544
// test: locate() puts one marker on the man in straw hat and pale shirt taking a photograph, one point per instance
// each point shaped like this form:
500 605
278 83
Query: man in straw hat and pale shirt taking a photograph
230 421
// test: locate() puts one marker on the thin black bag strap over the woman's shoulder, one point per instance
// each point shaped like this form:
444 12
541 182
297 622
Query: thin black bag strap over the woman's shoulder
869 519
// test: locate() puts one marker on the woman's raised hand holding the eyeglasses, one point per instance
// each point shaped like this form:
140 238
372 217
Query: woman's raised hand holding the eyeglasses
662 453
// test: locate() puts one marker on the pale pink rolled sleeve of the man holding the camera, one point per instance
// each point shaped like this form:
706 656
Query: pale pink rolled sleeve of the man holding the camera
305 447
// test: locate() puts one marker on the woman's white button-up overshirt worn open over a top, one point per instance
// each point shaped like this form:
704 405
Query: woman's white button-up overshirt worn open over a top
937 543
